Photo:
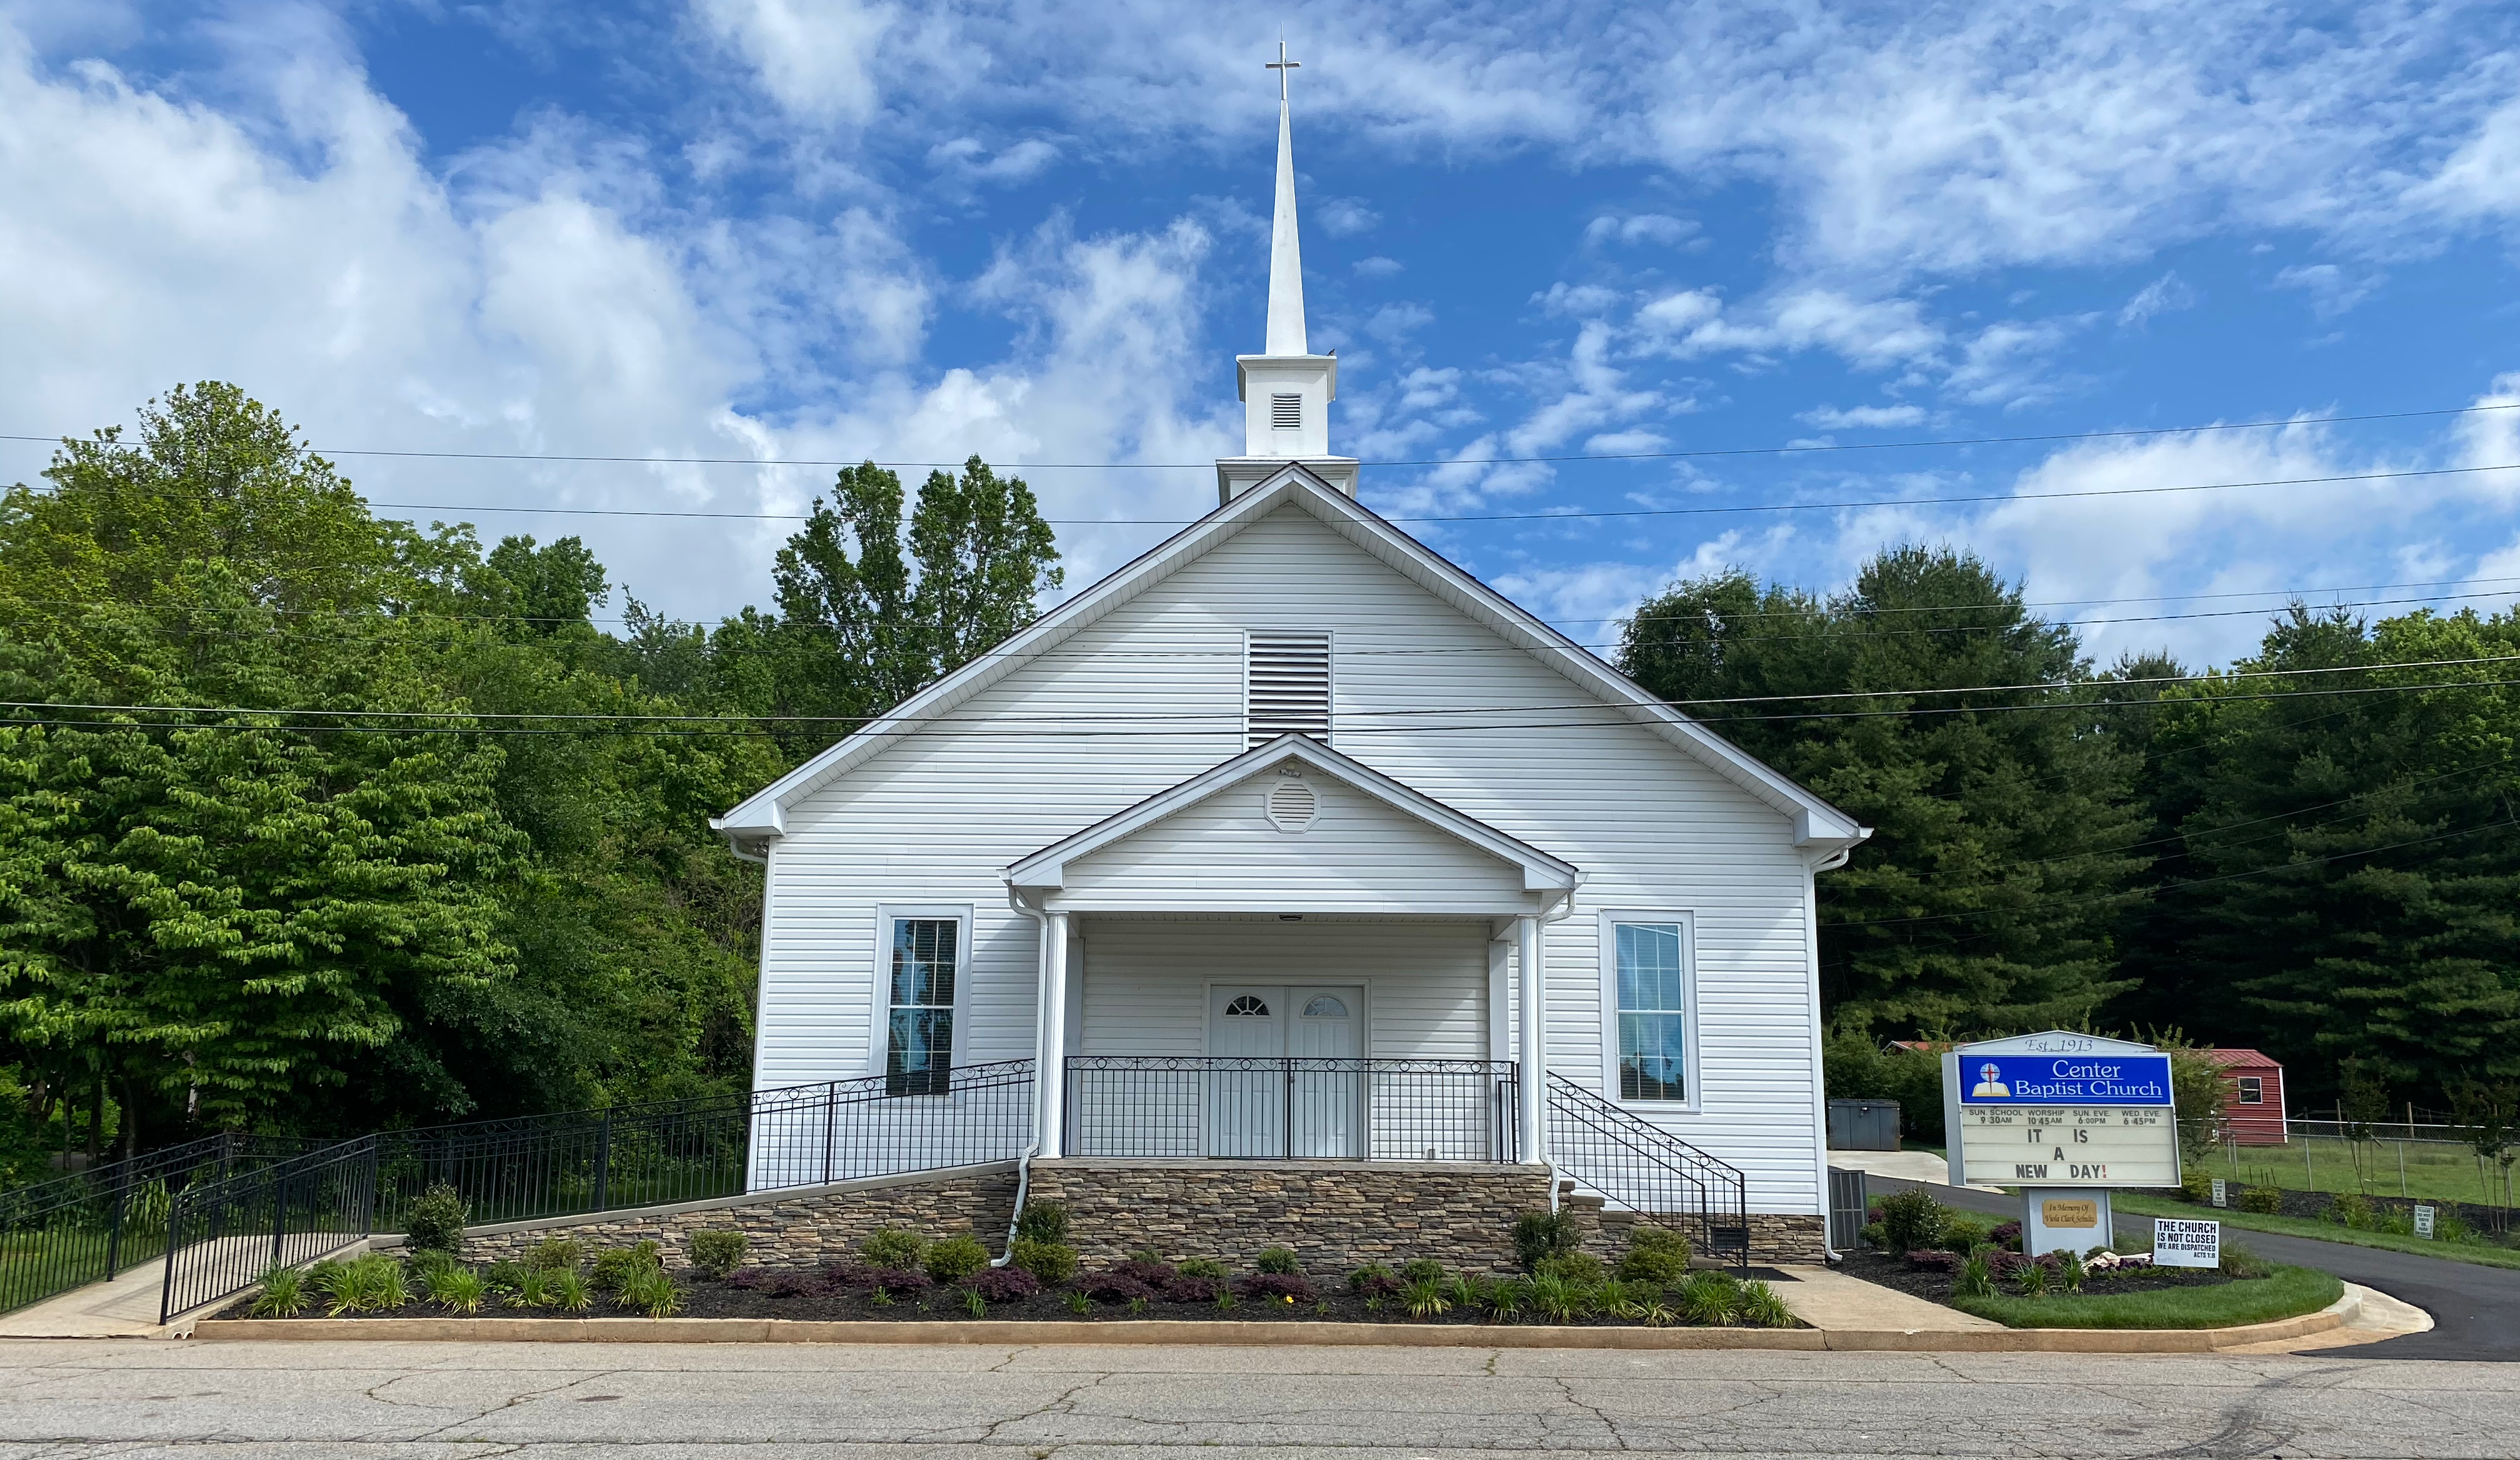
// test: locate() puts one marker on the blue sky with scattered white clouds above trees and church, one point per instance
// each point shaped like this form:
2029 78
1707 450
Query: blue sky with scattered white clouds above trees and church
833 231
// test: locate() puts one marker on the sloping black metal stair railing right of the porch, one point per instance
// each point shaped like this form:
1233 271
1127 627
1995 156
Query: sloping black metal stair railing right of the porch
1649 1171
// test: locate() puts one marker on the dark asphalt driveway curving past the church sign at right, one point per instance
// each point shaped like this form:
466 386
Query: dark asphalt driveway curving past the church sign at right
2476 1310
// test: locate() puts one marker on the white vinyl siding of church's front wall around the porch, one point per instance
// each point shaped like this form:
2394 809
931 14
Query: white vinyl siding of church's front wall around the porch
1475 725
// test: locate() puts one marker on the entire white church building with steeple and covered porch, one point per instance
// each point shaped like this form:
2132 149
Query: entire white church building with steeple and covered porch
1297 851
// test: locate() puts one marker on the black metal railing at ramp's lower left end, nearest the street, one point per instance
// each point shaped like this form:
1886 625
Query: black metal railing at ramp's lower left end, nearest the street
226 1234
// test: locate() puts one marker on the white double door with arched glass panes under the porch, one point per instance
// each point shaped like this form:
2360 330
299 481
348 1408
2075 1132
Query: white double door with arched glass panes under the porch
1286 1108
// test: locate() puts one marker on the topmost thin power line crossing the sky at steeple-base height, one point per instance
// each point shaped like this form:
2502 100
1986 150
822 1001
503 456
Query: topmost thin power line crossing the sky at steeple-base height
1707 453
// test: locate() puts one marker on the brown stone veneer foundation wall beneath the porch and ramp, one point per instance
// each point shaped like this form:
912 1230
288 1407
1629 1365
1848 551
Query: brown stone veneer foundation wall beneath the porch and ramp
1337 1214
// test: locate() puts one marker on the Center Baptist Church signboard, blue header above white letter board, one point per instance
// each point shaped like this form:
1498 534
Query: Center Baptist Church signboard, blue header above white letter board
2068 1121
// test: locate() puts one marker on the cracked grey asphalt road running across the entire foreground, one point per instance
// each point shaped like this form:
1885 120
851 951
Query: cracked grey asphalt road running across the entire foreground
92 1398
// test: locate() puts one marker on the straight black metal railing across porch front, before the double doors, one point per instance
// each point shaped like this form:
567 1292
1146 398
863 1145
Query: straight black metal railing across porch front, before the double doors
1266 1108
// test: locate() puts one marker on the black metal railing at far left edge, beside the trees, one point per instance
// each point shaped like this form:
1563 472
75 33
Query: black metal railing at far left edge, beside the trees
79 1229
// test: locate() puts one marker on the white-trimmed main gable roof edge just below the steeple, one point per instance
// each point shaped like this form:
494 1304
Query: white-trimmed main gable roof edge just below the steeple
1818 826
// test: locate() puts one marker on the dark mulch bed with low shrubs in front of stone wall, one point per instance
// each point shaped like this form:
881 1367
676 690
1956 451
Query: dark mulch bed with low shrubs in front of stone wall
813 1295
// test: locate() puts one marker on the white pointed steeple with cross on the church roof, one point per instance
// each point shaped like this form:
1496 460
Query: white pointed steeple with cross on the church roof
1286 392
